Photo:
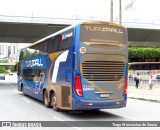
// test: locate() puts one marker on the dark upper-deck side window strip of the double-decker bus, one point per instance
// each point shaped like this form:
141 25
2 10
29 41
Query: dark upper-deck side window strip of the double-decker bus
57 43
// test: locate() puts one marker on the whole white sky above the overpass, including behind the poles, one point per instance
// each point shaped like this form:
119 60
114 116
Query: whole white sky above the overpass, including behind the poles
100 9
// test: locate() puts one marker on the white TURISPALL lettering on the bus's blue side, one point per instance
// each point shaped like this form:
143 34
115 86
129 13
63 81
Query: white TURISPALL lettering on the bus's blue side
32 63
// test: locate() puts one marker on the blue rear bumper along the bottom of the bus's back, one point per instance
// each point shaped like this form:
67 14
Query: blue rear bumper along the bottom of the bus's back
90 104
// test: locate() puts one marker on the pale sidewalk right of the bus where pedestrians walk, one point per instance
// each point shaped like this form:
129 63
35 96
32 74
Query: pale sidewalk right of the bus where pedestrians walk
144 93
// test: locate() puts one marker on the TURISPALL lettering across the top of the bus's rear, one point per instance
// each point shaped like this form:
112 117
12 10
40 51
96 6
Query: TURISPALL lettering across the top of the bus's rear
103 29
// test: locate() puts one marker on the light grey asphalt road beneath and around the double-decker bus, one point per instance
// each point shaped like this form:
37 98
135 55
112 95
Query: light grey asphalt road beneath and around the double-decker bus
16 107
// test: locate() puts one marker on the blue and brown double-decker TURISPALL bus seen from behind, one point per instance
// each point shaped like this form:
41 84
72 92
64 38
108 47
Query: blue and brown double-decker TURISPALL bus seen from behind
82 67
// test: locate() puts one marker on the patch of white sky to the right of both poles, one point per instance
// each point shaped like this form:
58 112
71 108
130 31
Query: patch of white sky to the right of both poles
145 10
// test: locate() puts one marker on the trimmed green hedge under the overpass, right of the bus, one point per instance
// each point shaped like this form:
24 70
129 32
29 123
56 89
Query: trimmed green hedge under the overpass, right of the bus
144 52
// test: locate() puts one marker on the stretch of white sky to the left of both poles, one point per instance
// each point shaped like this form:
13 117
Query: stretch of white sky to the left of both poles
50 8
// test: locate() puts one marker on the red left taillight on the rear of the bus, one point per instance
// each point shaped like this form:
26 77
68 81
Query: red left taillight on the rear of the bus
78 86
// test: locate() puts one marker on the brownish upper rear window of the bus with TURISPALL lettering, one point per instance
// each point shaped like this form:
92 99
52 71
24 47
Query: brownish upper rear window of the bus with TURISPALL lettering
102 35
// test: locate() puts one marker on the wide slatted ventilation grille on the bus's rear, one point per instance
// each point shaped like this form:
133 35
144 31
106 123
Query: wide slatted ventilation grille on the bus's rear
103 70
